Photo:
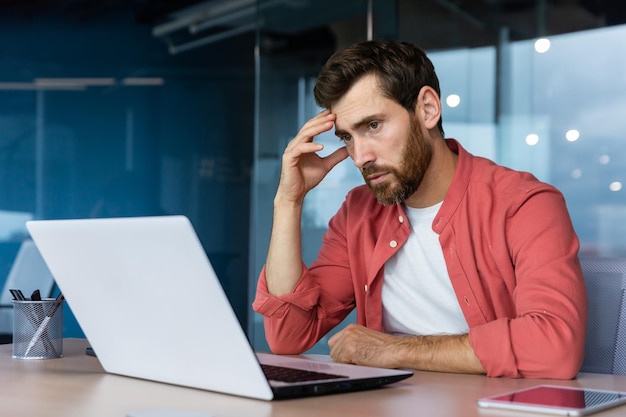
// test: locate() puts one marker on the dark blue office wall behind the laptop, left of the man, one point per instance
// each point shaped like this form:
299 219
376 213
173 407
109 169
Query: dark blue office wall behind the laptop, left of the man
182 145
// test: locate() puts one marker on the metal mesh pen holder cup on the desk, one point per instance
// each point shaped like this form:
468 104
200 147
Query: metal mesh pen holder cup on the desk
38 329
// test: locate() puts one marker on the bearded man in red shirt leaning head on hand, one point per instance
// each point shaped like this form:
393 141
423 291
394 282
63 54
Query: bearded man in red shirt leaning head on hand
453 263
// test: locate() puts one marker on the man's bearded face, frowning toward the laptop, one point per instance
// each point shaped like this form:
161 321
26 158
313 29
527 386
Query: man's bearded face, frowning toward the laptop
384 140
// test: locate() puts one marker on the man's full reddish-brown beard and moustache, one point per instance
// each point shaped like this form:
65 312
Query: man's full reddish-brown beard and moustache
416 156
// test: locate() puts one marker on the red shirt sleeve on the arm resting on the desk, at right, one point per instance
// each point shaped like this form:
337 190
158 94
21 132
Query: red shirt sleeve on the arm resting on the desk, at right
546 336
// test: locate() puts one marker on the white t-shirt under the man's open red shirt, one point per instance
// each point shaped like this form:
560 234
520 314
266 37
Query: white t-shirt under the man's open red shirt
418 297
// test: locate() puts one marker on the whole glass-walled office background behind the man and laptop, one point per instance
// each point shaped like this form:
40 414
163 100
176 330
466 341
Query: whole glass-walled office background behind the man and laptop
102 116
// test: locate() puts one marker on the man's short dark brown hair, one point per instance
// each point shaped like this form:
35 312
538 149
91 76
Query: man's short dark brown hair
402 69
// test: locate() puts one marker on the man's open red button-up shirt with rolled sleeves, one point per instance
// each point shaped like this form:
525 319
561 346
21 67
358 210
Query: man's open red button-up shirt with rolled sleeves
511 254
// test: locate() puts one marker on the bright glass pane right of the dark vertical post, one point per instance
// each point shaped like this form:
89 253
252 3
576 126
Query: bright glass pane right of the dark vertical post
567 125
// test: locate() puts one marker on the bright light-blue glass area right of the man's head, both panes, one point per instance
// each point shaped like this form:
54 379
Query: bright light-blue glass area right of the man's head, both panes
560 119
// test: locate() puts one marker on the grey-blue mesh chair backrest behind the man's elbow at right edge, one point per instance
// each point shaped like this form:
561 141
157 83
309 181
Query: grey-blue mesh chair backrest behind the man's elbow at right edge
605 349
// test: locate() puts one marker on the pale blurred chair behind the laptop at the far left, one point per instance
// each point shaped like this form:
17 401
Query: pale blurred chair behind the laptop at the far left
28 273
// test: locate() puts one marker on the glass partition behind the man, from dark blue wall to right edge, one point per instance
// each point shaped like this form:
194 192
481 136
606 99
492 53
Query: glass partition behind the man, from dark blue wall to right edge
552 108
